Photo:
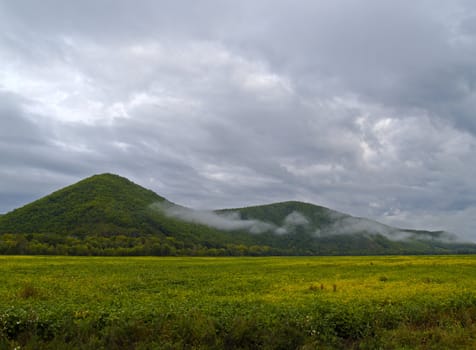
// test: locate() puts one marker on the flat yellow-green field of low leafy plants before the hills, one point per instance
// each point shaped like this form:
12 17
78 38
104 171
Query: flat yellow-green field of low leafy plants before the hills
424 302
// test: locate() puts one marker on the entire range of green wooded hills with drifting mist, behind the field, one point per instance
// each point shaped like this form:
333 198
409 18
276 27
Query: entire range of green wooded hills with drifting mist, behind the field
110 215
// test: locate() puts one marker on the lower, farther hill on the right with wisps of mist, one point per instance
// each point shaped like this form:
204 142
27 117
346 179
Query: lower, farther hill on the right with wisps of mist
315 230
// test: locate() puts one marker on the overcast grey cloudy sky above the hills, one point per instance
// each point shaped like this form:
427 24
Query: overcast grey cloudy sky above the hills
366 106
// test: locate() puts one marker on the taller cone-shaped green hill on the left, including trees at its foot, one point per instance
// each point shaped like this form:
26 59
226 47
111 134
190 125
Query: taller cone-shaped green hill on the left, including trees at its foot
104 215
